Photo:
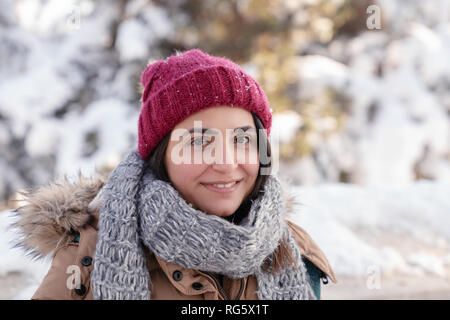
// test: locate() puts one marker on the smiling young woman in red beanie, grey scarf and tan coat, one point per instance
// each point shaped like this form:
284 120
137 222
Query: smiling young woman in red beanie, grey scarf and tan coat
193 213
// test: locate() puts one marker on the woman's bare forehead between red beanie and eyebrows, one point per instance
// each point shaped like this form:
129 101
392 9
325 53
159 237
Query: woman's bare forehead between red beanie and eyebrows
220 117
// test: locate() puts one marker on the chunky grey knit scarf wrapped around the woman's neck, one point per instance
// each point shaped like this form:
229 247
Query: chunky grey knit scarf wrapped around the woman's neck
139 210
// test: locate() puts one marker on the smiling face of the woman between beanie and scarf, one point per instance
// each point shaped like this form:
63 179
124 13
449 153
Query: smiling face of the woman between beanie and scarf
217 169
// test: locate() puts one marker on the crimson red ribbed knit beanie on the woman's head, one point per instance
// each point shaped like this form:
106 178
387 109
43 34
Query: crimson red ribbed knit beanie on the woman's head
189 82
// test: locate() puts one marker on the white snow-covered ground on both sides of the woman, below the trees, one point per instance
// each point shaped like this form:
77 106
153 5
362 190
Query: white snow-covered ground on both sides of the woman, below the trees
367 233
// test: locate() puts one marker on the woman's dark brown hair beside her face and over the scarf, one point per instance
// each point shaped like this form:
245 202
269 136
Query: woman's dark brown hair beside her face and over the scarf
283 254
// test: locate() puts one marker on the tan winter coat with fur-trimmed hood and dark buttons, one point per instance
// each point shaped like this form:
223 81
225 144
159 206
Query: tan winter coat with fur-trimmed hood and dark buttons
60 219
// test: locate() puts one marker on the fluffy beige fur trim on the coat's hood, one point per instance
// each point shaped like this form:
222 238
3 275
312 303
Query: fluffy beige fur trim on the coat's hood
52 215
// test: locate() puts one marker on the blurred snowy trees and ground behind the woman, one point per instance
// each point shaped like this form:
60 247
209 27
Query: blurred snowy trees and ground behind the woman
360 92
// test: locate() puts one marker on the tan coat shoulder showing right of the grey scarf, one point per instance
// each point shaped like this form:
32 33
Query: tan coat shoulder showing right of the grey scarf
311 251
